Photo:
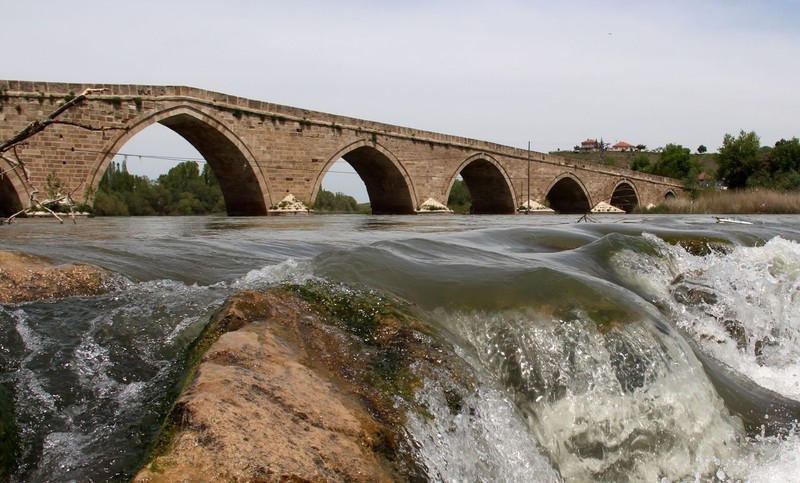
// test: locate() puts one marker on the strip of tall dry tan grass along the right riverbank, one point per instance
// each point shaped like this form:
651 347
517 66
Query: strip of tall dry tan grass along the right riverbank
734 202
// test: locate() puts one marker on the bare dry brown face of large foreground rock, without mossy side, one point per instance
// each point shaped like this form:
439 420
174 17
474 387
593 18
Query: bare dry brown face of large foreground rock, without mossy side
269 403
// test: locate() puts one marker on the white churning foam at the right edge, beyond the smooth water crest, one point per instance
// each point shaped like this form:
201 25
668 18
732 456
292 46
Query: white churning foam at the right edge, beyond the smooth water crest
739 306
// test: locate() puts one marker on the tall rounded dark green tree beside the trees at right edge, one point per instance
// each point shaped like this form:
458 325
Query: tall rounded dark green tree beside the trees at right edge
738 159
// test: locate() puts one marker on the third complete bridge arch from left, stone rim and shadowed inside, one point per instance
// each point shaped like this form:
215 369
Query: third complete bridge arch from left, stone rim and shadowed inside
488 183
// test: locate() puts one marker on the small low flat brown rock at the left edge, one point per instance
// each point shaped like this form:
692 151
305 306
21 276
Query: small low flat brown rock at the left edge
25 278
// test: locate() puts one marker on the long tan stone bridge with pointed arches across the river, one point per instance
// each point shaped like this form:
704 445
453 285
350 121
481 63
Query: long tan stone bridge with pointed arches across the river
261 152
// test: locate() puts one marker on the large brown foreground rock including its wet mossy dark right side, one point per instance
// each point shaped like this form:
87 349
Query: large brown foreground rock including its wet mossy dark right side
310 385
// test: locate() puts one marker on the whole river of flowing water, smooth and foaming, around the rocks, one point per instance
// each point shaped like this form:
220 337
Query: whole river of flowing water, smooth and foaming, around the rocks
636 349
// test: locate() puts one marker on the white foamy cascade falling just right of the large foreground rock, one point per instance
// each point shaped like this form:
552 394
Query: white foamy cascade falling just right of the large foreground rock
603 404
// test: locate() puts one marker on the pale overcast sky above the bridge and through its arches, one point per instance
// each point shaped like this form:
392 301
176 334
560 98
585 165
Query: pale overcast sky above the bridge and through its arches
552 73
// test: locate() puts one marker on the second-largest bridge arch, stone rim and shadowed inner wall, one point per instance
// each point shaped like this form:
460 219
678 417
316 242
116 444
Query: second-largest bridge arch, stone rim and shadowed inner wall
389 186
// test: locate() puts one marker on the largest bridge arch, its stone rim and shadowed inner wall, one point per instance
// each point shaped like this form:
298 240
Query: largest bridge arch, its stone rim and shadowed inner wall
243 185
